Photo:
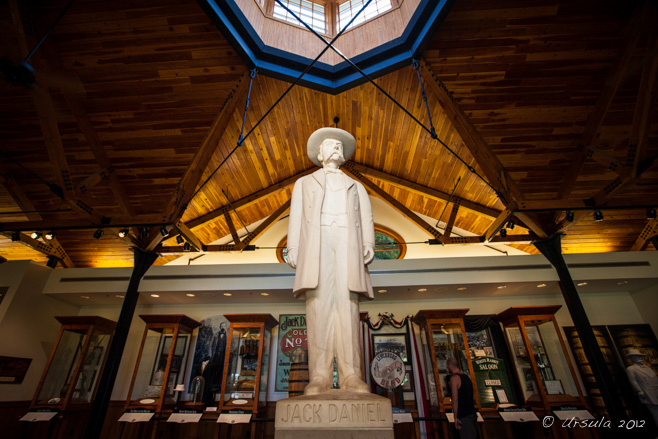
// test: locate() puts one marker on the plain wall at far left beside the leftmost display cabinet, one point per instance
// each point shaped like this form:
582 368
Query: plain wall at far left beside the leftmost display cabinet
27 325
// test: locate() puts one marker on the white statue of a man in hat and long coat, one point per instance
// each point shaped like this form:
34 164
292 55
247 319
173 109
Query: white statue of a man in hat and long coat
331 240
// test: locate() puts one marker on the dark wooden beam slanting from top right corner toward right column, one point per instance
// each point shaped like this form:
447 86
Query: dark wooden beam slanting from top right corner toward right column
596 117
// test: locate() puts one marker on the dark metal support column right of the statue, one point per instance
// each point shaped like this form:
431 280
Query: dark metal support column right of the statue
551 248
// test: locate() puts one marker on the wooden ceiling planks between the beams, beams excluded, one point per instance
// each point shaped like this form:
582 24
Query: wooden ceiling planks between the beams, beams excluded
155 76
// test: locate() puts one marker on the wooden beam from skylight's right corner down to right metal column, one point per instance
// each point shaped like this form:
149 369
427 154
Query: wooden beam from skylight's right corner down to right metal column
493 170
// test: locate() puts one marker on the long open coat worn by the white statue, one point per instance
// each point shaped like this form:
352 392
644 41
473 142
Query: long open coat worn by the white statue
304 233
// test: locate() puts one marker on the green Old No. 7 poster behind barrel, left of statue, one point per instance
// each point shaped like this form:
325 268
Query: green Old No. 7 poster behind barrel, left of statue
292 337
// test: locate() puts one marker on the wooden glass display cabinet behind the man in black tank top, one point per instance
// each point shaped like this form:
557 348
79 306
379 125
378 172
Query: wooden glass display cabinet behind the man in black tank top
444 335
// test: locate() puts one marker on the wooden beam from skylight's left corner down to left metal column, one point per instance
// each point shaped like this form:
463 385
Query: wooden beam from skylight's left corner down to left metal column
190 180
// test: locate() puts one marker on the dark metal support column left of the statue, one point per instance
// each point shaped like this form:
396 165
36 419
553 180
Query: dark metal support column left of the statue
143 261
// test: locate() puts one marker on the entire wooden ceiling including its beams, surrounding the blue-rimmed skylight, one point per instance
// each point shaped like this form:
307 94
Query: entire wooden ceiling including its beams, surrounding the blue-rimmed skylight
552 105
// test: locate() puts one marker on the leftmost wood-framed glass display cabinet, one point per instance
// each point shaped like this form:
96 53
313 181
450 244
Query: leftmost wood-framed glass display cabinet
75 364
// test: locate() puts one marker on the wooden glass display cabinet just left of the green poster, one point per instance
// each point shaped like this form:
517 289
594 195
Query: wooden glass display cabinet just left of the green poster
247 363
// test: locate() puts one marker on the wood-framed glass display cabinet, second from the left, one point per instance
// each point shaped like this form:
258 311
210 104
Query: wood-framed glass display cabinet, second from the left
161 361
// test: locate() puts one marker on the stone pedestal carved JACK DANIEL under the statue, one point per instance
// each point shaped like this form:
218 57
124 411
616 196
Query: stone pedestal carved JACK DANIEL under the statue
334 414
